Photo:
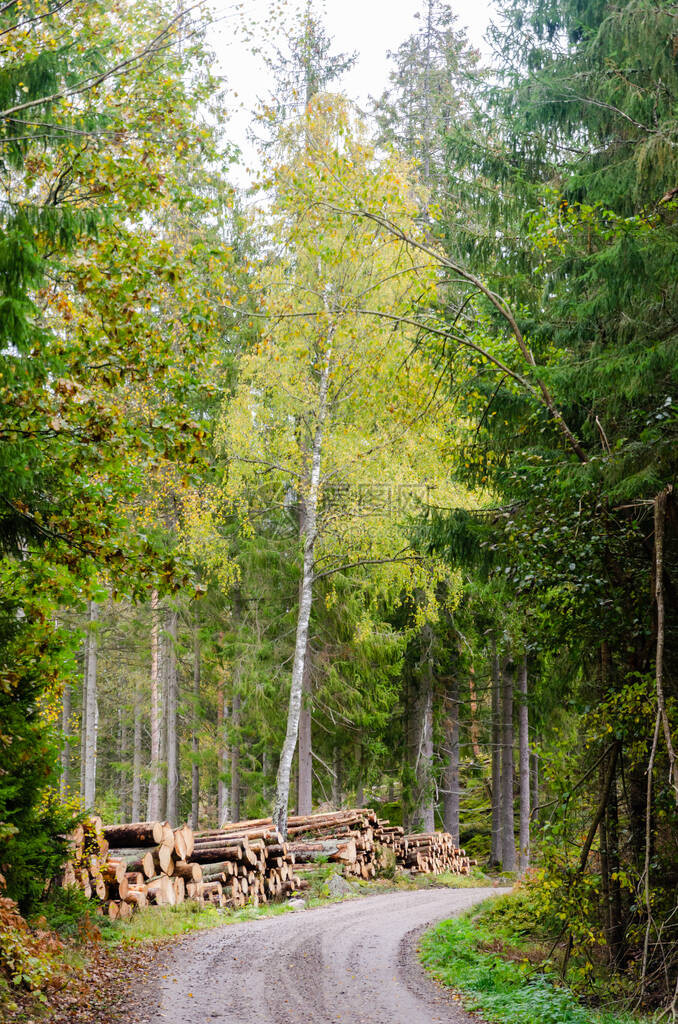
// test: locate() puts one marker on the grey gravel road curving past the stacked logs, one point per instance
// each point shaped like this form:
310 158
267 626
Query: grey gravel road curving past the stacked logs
352 963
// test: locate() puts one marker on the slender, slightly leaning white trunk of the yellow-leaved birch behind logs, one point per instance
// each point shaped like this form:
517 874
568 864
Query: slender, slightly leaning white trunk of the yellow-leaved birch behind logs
306 602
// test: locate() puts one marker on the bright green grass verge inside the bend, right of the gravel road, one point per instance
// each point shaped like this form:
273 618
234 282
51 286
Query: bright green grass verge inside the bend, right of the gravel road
460 955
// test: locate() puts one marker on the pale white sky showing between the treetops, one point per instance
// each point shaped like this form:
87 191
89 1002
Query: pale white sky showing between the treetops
371 27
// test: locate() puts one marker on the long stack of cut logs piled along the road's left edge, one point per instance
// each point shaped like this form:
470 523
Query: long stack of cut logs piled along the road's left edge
130 867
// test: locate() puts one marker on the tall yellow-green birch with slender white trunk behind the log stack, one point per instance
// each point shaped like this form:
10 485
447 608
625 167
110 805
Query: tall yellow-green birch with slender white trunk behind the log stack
333 417
